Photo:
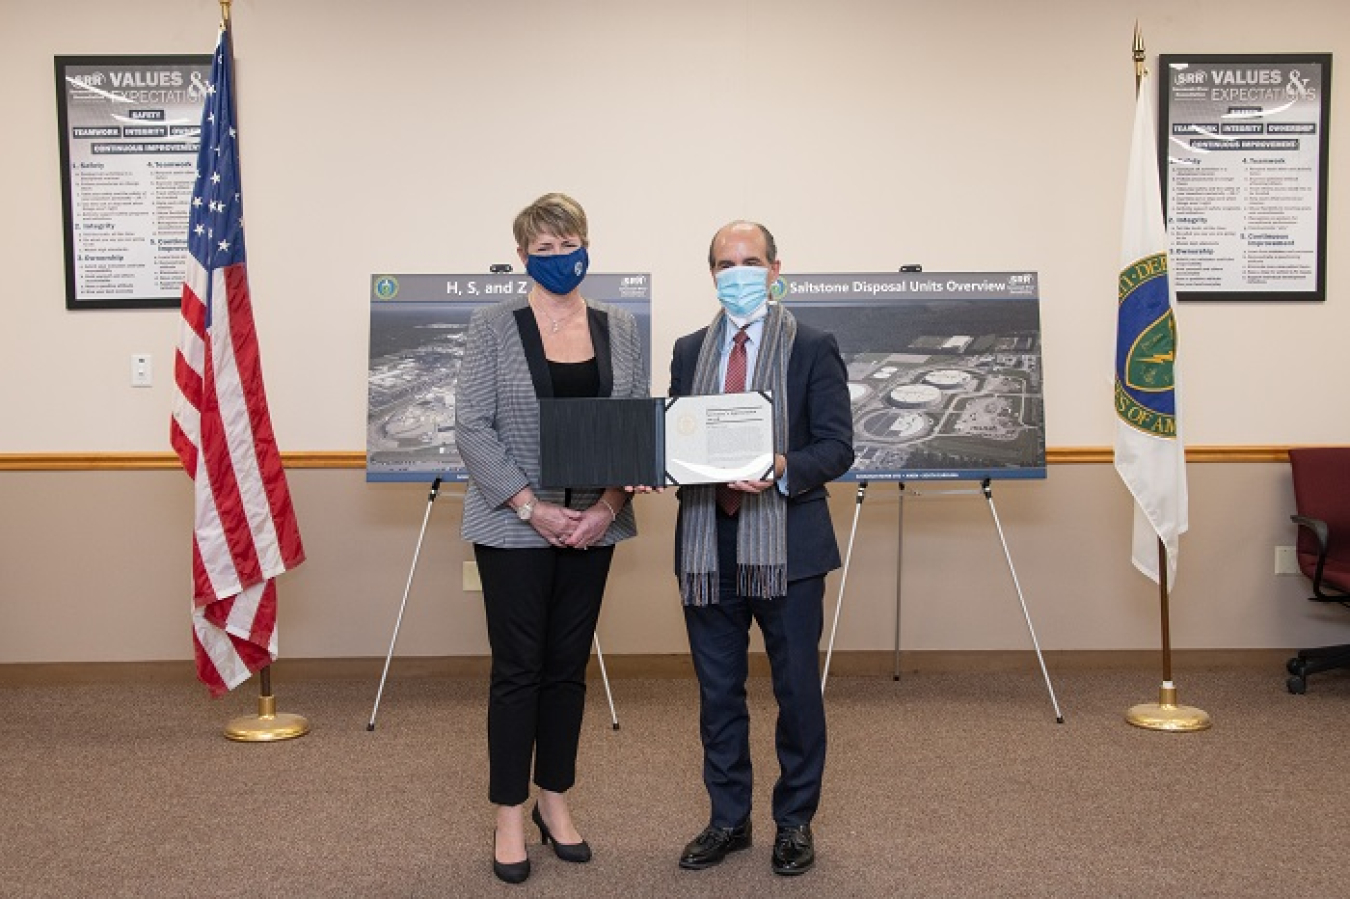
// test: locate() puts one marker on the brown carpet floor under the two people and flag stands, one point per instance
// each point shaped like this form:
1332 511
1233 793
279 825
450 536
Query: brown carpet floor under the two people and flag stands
943 785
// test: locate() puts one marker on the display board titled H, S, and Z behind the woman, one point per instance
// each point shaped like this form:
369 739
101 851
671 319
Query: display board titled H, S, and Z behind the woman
418 330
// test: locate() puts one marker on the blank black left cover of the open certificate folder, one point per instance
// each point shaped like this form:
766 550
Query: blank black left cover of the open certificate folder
601 443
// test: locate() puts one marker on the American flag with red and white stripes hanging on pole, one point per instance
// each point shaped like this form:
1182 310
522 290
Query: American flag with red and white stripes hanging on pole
245 533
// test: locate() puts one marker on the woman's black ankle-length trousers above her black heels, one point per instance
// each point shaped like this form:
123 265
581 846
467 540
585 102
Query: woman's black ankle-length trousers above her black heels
542 611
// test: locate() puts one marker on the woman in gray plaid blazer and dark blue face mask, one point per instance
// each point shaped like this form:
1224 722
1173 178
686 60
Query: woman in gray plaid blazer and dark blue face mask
543 554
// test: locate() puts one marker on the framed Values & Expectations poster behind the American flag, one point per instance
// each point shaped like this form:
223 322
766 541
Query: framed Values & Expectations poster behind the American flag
129 134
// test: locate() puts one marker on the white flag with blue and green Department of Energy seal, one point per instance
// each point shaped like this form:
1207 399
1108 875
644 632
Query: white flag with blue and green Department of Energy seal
1150 454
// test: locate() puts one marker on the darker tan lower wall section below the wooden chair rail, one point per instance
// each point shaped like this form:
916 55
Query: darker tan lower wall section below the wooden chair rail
97 570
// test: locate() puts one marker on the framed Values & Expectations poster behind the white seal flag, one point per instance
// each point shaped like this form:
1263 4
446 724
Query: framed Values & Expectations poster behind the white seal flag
1244 146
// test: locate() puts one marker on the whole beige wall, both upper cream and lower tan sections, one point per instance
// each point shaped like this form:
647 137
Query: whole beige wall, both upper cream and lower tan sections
403 137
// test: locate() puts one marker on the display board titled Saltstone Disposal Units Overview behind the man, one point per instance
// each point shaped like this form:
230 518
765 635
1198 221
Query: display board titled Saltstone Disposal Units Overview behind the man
944 371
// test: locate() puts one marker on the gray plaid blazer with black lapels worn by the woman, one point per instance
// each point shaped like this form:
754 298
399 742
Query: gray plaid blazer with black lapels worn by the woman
497 415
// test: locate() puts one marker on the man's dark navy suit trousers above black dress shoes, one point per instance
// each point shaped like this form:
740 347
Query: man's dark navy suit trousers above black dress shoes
719 639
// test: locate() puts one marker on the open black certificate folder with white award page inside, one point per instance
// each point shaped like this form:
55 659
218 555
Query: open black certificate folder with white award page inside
618 443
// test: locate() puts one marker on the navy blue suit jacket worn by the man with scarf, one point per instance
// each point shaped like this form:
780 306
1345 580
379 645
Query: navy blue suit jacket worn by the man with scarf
820 442
